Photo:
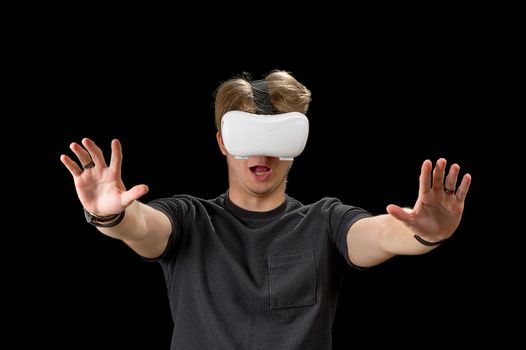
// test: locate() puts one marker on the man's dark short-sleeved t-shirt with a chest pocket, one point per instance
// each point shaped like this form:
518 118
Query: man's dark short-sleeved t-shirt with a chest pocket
238 279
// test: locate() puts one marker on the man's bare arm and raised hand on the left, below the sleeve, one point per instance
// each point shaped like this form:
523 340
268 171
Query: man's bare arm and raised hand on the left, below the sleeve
101 191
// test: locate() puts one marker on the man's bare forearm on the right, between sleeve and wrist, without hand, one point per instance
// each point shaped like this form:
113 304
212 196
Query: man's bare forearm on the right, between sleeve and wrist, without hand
373 240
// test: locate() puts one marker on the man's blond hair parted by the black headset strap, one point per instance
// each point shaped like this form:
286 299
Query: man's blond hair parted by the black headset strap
286 95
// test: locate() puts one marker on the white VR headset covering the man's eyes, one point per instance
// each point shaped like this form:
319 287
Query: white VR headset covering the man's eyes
281 135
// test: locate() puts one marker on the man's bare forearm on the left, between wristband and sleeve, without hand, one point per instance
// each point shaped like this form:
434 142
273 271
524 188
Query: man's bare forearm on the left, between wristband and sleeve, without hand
143 228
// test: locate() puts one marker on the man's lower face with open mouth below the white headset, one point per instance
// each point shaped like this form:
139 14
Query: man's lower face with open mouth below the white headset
257 176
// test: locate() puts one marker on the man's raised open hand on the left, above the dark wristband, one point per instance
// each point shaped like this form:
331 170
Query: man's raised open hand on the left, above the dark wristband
100 187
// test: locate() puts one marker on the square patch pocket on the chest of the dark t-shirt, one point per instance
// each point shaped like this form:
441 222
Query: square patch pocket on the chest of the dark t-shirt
292 280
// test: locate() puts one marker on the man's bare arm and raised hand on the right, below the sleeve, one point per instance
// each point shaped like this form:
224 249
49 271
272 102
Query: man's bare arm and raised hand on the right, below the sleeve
435 216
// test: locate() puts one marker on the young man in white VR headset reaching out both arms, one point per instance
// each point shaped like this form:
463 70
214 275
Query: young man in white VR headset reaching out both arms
254 268
